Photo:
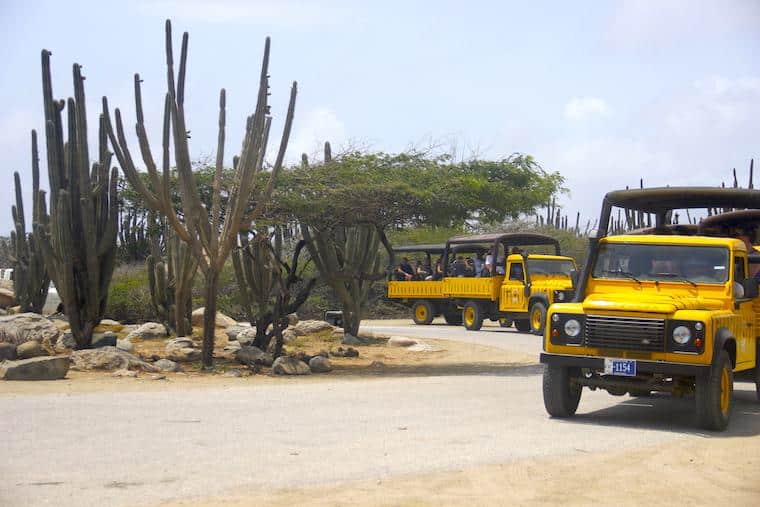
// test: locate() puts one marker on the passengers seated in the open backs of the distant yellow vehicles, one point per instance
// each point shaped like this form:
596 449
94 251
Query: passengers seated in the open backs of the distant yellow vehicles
461 266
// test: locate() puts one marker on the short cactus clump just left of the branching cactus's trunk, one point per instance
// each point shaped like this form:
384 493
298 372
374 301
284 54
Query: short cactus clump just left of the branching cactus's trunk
170 279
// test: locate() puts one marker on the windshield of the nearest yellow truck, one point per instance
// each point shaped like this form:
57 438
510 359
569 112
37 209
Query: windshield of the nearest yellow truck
673 263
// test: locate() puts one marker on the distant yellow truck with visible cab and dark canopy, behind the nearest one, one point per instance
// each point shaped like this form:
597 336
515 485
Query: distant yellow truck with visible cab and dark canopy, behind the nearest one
515 287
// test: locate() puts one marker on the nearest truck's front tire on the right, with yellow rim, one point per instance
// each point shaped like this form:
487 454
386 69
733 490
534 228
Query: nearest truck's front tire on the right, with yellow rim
714 394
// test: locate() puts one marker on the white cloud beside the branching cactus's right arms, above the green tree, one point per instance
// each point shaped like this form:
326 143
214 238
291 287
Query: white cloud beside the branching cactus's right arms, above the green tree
313 128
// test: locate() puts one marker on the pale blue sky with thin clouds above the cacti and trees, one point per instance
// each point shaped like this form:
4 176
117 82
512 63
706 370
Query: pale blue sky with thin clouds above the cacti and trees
604 92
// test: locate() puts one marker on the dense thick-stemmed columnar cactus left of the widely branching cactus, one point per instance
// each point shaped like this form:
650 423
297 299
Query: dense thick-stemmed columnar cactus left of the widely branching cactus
78 235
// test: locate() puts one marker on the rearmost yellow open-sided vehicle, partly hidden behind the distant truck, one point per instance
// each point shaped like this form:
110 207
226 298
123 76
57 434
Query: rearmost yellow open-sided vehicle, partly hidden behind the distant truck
424 296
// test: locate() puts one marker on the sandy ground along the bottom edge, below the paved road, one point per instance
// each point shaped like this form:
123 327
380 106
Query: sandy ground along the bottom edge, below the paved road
692 471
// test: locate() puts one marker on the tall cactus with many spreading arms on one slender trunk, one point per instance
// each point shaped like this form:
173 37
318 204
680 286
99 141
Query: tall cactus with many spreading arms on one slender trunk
210 234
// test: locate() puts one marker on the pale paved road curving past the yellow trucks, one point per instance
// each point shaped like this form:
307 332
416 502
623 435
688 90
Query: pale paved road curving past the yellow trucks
118 449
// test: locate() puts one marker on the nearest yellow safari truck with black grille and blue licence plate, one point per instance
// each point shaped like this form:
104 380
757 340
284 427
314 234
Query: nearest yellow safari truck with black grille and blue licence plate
662 312
